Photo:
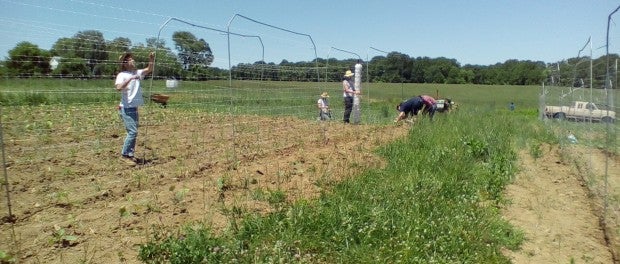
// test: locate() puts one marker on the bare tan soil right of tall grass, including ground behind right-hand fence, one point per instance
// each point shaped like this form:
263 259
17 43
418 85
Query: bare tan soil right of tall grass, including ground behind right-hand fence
554 204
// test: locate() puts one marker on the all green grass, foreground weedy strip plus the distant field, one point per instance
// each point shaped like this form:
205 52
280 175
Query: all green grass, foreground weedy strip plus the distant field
435 202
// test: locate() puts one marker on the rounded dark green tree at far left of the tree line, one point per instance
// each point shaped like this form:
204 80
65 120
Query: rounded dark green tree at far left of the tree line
26 59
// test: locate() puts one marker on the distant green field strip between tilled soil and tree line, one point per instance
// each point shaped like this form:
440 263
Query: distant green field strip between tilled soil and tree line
266 98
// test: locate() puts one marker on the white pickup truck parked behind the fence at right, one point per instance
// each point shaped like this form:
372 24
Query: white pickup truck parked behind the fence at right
580 111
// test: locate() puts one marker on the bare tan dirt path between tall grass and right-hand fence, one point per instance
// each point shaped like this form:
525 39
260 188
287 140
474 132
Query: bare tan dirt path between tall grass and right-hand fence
552 205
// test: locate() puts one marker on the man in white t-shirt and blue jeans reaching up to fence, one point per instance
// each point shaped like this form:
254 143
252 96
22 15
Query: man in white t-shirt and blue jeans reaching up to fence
128 84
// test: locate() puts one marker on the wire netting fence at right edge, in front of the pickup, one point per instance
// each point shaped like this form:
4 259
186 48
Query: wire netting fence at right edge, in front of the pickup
579 103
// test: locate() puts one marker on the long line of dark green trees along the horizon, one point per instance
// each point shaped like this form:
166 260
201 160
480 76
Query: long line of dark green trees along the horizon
88 55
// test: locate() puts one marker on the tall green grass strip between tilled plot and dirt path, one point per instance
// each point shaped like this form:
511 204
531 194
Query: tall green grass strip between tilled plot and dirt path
436 202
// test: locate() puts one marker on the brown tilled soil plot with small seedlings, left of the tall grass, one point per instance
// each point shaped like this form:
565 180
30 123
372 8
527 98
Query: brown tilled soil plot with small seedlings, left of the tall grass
69 185
